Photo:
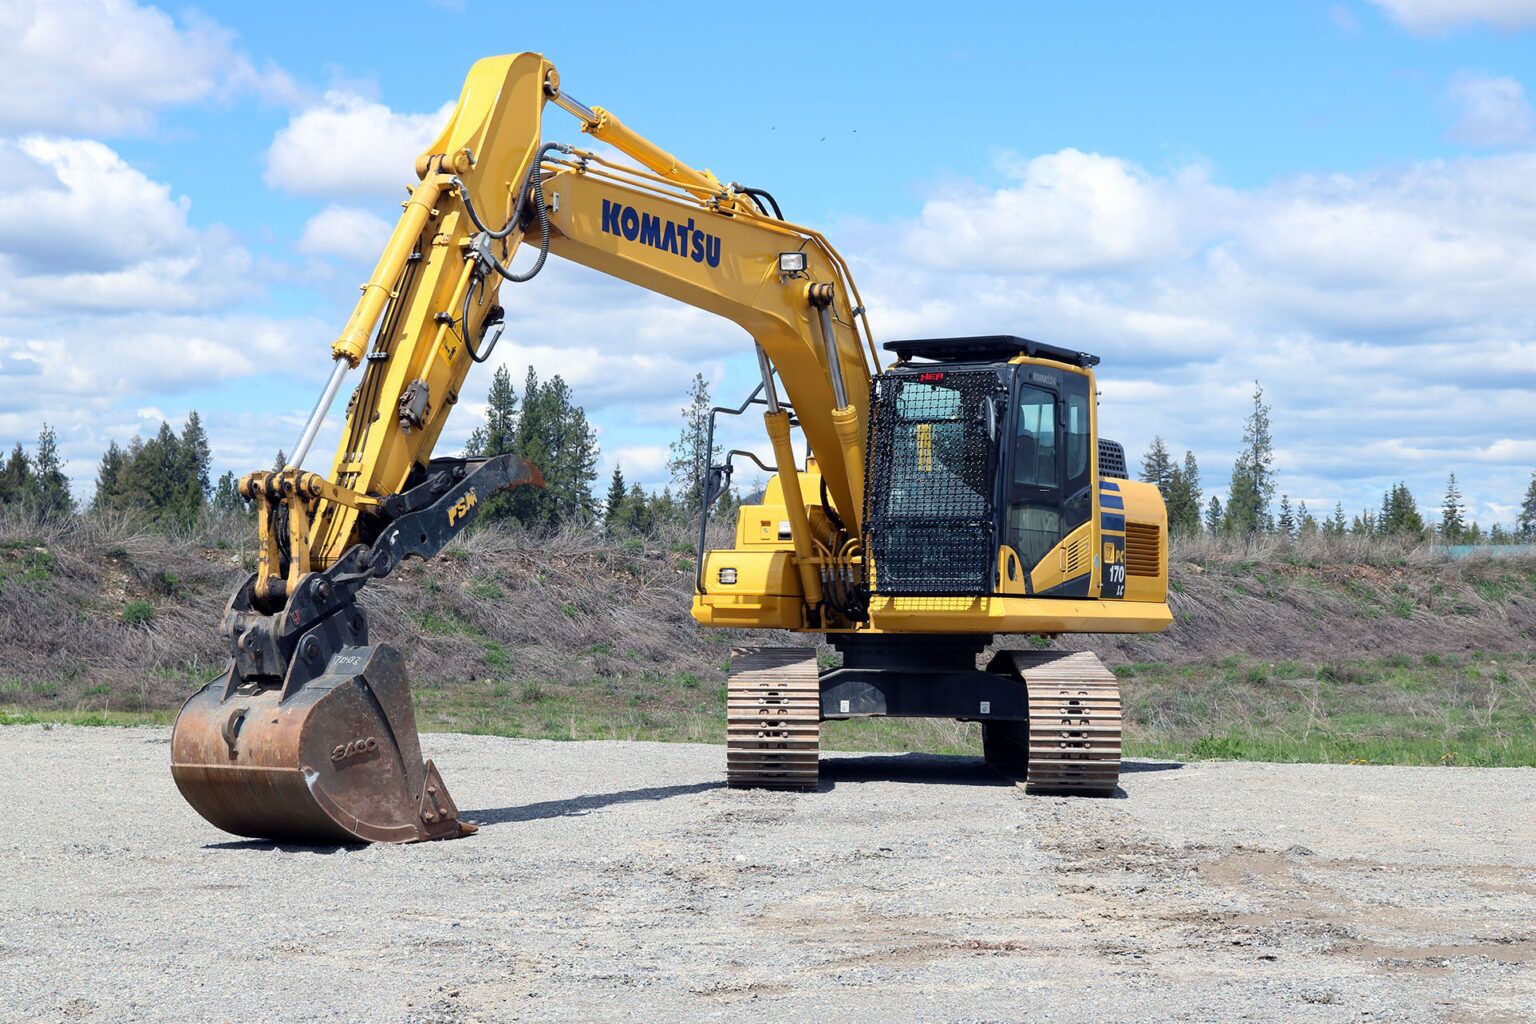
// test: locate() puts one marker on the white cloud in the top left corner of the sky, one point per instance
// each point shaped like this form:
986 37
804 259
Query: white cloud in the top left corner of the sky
105 67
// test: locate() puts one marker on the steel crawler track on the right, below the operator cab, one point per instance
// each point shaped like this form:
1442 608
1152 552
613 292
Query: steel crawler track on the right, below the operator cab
1071 744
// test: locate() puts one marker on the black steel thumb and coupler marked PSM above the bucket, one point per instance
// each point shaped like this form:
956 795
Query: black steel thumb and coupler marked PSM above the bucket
322 615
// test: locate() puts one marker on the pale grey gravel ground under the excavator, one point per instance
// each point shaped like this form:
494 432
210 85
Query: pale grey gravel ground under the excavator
618 882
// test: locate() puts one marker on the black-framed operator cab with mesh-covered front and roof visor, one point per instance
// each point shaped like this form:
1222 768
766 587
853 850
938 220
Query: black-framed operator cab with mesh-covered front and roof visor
982 464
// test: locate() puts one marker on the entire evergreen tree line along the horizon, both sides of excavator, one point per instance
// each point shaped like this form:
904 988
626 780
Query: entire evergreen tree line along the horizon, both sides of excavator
167 483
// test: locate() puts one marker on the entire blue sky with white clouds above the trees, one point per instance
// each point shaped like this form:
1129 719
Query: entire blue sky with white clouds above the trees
1336 200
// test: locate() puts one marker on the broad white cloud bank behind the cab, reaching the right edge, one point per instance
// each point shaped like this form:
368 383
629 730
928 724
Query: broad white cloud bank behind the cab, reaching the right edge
1391 314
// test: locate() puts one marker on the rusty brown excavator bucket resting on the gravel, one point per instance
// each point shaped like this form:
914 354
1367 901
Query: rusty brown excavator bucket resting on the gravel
333 761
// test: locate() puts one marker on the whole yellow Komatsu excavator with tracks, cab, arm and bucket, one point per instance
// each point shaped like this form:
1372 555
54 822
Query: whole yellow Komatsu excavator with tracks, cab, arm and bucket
955 497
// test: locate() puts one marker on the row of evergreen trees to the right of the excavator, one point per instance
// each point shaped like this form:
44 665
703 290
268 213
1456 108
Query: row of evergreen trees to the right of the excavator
1251 510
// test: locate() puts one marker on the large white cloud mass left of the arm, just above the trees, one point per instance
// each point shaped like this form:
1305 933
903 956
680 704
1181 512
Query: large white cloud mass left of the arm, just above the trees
111 299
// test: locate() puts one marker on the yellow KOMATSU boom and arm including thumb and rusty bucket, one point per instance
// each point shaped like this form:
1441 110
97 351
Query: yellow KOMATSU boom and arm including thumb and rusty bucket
311 732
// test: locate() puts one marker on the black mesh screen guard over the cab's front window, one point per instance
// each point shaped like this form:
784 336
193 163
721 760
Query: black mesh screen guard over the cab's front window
930 512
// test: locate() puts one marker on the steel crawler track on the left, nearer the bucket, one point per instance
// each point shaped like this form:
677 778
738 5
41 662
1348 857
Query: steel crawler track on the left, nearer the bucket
773 719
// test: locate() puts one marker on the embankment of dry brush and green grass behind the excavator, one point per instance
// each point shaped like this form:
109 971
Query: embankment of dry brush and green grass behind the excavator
1329 653
